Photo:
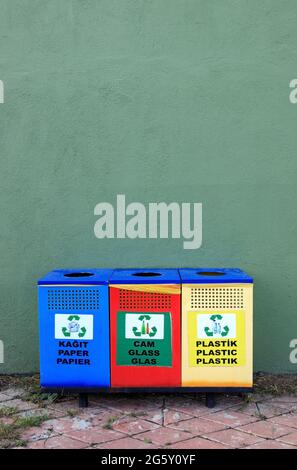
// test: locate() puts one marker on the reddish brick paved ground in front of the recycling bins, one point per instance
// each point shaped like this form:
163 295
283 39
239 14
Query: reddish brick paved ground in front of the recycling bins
151 422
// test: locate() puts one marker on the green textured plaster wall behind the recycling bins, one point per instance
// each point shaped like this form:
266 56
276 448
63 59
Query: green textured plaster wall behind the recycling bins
161 100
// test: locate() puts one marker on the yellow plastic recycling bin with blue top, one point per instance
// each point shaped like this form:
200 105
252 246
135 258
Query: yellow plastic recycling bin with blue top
217 328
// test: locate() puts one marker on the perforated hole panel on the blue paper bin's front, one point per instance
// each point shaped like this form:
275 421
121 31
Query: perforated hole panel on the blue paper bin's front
73 299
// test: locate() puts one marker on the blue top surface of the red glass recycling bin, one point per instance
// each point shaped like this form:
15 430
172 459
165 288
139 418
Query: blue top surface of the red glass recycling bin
145 276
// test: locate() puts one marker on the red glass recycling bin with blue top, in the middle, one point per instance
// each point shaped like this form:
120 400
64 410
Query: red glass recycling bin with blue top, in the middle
145 328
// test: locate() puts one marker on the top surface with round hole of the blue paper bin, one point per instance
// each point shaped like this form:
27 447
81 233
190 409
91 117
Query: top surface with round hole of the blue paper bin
77 276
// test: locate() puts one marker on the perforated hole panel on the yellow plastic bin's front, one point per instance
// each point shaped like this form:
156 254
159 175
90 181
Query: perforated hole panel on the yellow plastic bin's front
217 297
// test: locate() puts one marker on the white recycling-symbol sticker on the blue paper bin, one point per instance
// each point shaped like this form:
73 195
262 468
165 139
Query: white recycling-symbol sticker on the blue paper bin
73 326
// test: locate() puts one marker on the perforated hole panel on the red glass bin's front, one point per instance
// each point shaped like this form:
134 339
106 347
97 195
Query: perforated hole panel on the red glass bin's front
140 300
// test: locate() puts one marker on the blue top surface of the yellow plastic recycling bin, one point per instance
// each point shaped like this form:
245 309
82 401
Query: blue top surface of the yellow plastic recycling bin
214 275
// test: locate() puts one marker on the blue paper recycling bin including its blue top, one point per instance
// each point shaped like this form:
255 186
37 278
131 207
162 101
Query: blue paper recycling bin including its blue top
74 329
